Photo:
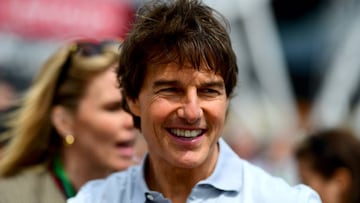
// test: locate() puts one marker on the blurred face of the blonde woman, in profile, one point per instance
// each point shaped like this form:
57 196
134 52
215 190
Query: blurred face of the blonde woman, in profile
104 133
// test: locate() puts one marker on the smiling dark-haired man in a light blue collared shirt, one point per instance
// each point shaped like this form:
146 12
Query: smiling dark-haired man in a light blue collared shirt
178 71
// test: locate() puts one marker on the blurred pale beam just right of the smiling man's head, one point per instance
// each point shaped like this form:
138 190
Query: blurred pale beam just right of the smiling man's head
265 104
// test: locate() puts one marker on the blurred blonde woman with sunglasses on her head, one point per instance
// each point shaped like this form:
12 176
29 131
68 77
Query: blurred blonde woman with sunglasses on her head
70 127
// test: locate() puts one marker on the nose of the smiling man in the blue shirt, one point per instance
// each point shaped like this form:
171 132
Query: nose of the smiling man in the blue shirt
190 109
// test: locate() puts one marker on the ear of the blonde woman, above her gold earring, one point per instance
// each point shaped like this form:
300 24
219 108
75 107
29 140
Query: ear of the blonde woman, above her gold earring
62 120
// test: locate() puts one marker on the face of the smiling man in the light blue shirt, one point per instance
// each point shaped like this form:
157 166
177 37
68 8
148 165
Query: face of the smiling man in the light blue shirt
182 114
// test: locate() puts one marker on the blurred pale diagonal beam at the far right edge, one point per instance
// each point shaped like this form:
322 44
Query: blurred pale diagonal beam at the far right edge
332 107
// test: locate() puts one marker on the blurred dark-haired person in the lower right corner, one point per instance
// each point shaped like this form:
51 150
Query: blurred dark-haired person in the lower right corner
329 162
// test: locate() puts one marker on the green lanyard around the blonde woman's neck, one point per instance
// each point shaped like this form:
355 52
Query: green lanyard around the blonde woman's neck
60 173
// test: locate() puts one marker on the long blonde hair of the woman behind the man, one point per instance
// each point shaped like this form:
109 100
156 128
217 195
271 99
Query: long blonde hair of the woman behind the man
61 81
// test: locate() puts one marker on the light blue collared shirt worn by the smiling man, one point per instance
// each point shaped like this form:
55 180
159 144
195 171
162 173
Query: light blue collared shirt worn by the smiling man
233 181
